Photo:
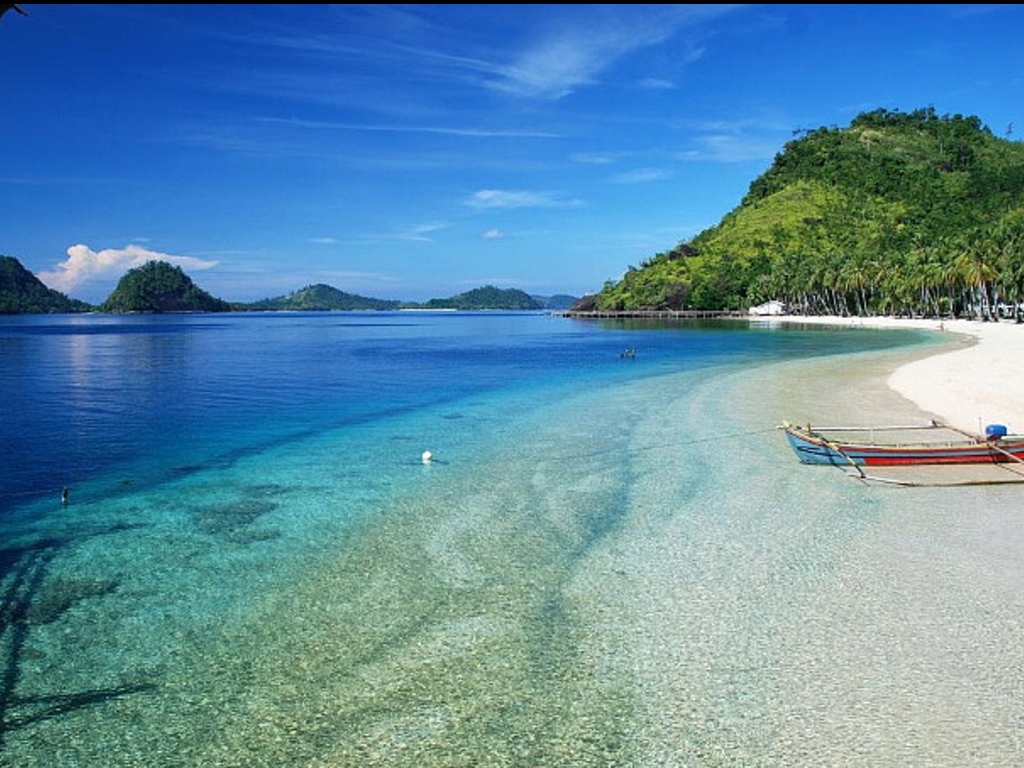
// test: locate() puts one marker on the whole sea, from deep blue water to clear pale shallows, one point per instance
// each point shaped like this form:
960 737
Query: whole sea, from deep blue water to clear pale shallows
482 539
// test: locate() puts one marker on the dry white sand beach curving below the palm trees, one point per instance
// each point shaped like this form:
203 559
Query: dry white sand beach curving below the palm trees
979 385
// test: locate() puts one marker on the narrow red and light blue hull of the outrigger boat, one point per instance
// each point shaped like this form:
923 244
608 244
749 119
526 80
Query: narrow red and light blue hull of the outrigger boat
813 449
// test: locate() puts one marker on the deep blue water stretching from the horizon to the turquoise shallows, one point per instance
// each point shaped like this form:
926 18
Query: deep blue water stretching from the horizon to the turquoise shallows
93 399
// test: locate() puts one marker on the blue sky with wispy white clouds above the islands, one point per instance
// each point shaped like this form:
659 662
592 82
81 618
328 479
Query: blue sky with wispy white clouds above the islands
417 152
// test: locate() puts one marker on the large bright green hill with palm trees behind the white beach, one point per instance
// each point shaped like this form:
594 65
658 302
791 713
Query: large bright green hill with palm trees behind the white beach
899 214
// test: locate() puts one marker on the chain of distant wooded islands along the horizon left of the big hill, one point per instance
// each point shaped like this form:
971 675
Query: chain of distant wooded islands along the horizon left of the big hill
159 287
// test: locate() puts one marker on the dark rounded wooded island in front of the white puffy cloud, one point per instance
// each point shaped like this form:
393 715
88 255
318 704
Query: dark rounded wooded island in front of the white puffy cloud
159 287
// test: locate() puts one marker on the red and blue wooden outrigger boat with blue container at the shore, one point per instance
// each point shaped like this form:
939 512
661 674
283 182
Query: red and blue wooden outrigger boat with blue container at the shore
904 446
